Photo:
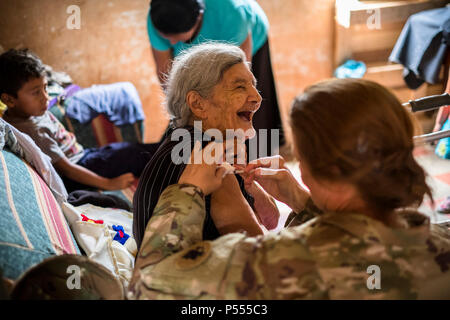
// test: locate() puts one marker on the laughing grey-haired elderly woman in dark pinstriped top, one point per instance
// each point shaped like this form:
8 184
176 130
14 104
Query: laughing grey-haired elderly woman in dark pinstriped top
211 85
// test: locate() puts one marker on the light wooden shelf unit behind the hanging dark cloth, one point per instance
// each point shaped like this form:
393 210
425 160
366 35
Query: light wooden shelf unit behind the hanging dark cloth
368 30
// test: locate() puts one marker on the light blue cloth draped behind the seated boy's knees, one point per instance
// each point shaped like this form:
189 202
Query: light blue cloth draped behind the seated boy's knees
119 102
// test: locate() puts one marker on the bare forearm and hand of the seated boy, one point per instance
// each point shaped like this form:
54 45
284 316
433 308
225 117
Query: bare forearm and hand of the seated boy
87 177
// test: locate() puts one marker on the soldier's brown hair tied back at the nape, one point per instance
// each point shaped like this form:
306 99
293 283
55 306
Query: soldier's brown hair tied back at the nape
356 131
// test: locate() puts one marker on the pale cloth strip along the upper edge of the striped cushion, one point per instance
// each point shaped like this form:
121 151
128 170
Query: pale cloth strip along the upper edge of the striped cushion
22 145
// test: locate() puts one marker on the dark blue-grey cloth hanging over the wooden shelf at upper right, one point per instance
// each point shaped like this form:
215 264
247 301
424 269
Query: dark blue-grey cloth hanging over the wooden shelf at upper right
422 46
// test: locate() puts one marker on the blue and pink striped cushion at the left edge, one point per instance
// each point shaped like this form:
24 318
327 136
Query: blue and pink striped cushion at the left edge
33 226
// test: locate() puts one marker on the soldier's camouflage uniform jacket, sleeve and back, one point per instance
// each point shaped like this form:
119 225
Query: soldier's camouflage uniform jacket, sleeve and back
325 258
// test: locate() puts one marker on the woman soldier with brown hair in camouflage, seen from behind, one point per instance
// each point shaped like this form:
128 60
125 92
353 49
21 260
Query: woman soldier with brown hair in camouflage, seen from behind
350 236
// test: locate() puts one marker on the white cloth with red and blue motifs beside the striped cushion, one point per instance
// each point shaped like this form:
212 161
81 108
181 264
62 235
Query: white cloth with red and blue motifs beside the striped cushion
104 235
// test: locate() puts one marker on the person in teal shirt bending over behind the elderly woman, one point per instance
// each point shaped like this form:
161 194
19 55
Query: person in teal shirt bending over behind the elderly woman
175 25
